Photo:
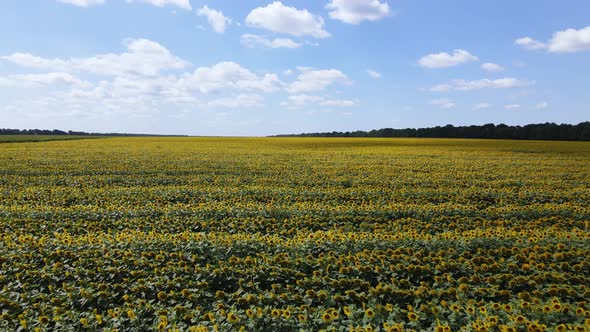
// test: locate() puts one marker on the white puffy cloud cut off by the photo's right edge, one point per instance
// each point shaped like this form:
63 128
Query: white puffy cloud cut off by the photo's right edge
566 41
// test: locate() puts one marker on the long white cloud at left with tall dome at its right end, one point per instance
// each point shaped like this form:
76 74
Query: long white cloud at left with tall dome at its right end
144 57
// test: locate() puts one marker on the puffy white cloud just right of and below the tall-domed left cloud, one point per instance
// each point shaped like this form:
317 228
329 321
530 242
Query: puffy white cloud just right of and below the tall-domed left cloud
225 75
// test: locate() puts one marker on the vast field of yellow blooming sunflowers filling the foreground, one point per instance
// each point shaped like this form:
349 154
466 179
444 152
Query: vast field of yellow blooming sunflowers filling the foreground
290 234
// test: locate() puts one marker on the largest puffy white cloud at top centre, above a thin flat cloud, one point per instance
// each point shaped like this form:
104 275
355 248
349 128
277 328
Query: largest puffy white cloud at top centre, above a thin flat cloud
279 18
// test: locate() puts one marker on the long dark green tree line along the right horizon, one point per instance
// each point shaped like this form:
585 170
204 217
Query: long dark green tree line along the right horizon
542 131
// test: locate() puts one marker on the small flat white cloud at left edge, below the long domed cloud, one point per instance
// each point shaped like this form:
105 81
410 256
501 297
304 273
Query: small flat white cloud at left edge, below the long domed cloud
40 80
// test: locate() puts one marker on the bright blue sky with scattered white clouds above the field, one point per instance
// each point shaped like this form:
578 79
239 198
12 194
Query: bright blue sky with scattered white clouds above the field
270 67
